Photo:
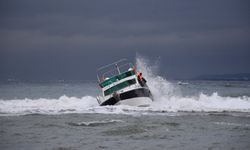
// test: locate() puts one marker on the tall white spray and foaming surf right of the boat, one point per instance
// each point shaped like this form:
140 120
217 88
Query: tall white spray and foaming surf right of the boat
168 98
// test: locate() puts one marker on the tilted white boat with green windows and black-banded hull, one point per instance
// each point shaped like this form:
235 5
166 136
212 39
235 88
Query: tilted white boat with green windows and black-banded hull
121 84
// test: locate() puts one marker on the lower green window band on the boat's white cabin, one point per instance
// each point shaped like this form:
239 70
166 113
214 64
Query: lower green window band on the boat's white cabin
119 86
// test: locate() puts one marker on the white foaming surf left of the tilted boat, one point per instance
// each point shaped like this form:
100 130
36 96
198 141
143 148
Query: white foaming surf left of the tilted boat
63 104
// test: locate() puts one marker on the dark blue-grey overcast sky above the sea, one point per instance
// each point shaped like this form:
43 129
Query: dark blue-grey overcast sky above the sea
69 40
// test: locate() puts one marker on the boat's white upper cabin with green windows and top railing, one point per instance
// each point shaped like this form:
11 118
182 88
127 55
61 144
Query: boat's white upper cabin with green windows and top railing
117 77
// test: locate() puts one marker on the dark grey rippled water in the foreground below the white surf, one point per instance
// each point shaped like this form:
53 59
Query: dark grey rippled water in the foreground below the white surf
144 132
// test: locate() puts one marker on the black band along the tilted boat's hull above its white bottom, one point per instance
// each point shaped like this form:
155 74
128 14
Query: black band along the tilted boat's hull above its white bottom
141 92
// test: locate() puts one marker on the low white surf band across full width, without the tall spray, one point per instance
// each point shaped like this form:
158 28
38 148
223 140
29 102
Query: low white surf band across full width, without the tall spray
88 104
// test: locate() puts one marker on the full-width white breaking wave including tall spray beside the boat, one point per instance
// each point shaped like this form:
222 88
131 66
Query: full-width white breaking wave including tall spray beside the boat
167 98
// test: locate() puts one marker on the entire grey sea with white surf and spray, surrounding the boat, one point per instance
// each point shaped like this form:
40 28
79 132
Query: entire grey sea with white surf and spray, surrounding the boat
185 115
